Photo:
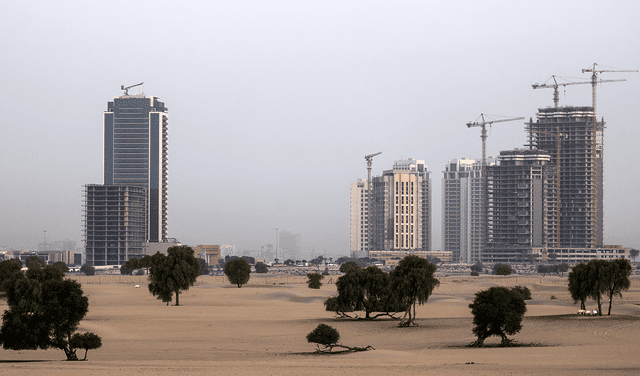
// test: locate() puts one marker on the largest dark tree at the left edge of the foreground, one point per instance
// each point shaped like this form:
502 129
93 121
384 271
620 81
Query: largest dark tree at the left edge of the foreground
44 312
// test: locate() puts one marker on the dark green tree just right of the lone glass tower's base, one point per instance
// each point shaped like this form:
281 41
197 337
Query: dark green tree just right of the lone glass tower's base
173 273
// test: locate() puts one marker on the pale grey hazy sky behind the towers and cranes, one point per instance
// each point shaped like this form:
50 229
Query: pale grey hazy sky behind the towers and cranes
273 104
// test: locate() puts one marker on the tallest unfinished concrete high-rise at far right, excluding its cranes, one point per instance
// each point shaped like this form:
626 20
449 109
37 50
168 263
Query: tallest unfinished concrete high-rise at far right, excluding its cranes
574 140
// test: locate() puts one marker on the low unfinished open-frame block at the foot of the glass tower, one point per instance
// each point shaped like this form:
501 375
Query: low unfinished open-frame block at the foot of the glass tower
115 223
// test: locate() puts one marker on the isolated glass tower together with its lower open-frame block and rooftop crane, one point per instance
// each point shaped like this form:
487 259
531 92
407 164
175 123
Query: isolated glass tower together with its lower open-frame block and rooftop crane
130 209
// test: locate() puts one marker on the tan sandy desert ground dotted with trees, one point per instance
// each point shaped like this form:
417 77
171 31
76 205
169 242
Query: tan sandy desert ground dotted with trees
260 329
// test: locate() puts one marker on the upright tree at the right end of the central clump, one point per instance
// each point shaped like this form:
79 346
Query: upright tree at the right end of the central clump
413 282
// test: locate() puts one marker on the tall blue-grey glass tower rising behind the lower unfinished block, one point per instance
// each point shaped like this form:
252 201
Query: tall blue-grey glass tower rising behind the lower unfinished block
135 153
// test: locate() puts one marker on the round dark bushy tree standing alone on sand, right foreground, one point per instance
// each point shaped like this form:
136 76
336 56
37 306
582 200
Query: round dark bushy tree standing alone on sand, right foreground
497 311
